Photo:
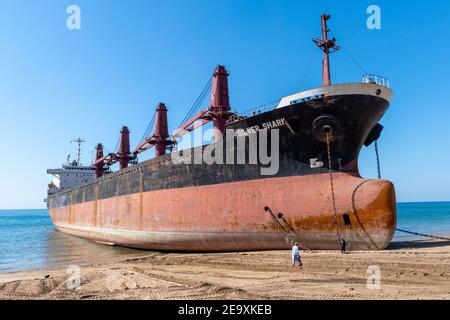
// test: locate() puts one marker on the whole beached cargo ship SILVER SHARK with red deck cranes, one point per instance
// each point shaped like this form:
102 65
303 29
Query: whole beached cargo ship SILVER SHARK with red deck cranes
309 192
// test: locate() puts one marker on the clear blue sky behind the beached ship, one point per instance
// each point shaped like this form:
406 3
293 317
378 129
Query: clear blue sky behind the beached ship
56 83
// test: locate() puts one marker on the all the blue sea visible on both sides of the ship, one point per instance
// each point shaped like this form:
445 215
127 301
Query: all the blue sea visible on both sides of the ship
28 239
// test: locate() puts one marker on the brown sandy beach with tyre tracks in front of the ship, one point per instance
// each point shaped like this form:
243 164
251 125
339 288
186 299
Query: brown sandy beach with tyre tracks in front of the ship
409 270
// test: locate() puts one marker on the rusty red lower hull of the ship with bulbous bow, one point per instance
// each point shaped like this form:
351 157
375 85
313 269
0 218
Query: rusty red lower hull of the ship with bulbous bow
190 219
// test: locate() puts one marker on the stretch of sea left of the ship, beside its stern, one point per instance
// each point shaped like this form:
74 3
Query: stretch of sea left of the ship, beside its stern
28 240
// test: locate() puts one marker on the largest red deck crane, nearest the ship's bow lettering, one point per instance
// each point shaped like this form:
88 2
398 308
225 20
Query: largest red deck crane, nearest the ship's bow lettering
218 111
